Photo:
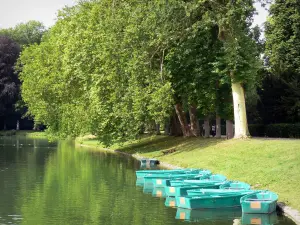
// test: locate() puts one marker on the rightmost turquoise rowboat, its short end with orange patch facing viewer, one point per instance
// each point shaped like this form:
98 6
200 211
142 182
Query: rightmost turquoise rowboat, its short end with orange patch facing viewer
259 202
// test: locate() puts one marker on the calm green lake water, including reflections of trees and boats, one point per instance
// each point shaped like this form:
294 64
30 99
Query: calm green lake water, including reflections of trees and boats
52 183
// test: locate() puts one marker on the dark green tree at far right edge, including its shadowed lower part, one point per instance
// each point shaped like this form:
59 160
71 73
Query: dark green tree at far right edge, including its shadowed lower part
283 55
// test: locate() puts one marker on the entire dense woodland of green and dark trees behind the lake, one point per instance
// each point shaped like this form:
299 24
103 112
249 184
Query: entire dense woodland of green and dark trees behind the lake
117 69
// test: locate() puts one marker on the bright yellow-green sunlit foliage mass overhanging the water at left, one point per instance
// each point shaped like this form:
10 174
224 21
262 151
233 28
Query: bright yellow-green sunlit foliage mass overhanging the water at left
97 74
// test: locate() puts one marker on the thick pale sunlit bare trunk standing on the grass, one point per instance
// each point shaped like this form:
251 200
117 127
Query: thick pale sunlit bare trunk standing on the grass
240 116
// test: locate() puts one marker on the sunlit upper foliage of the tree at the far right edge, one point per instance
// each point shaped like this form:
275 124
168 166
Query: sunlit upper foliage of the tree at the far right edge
283 37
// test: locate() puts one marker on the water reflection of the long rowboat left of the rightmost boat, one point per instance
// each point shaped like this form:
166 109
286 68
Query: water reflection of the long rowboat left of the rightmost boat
196 215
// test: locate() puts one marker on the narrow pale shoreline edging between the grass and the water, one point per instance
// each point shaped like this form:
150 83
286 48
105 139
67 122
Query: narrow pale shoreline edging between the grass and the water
289 212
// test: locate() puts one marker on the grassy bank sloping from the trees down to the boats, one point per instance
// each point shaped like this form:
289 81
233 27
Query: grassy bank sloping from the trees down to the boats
263 163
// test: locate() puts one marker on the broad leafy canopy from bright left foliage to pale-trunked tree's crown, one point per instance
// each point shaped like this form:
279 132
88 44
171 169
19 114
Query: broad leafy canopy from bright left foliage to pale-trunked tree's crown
112 68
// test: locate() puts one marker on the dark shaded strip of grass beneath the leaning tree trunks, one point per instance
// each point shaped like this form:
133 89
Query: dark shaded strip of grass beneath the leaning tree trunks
162 143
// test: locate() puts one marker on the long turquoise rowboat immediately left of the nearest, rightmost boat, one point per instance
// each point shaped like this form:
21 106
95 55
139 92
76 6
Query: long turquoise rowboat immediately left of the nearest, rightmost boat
211 200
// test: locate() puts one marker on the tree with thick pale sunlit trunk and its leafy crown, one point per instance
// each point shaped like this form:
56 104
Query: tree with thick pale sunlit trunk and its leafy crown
241 54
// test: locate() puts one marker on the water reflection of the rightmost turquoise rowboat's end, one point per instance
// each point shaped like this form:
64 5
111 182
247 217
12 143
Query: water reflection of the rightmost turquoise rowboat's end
260 219
